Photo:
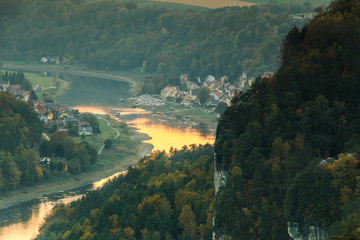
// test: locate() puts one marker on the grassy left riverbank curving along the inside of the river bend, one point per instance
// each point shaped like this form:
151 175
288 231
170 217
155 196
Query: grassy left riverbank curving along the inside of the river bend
109 162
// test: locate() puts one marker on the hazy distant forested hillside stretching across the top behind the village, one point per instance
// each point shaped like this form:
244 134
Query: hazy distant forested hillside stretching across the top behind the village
112 35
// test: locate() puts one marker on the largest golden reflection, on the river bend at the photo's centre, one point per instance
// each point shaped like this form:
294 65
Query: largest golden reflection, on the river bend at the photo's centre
163 137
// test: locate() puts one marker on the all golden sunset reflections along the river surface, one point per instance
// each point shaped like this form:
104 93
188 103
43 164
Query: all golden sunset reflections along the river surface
162 138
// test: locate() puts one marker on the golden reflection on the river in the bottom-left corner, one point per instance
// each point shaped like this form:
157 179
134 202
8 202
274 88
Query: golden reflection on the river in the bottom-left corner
30 229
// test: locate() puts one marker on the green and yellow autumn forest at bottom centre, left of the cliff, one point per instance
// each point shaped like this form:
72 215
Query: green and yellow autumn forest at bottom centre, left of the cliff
166 196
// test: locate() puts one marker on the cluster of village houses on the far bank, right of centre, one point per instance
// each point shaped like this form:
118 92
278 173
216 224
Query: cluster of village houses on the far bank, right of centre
219 90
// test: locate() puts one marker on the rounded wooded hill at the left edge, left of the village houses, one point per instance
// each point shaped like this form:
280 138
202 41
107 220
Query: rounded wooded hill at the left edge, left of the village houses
20 135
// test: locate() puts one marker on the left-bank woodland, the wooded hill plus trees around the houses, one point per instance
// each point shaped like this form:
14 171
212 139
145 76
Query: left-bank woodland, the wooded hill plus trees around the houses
21 145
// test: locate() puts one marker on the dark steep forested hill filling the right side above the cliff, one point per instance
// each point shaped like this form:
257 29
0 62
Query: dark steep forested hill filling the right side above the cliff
291 144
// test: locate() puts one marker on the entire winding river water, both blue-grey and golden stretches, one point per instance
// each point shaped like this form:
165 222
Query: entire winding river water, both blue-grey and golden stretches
23 220
